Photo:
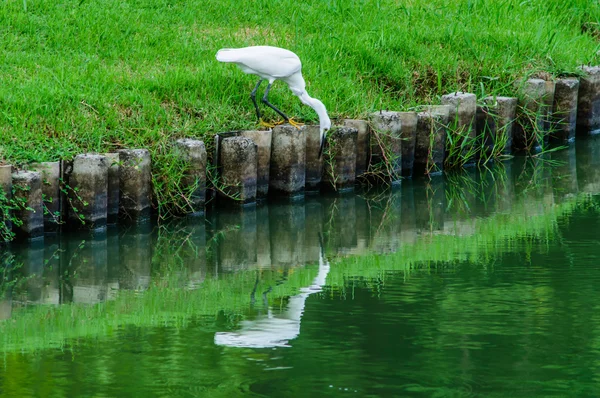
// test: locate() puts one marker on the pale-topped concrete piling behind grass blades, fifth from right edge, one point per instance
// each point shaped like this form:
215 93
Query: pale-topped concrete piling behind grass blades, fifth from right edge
463 108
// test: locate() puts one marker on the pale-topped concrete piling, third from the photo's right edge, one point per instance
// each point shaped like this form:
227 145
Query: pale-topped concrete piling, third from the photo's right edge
533 124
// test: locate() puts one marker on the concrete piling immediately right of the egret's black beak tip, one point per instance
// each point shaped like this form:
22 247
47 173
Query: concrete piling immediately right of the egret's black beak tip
339 171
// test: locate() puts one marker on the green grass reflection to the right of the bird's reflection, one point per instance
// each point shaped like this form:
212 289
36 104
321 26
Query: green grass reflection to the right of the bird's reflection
489 237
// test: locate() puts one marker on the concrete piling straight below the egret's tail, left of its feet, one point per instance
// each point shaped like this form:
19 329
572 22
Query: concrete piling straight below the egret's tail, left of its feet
237 167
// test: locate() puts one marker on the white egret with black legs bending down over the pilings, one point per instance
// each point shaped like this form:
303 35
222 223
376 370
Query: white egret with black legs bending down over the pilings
273 63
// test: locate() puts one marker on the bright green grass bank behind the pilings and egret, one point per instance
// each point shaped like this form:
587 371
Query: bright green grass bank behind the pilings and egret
87 75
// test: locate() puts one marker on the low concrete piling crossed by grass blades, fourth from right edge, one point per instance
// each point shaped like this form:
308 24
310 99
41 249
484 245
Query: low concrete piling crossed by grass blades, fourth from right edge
495 119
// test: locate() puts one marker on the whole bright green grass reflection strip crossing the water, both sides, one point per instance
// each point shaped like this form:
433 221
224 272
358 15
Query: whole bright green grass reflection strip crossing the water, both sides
167 303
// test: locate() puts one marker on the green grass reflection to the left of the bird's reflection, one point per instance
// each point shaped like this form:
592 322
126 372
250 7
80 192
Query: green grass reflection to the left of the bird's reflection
164 303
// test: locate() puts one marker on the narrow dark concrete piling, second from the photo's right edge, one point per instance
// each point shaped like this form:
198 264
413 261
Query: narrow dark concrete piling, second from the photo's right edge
564 115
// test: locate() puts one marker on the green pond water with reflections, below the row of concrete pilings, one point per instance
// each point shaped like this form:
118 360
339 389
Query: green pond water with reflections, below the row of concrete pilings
477 284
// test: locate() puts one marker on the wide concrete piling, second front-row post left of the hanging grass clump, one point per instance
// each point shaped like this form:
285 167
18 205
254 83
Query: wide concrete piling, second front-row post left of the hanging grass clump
87 191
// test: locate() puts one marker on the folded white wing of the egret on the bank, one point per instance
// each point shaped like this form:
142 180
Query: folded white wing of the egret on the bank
269 61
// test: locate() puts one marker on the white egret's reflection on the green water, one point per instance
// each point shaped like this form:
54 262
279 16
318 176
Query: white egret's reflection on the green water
276 330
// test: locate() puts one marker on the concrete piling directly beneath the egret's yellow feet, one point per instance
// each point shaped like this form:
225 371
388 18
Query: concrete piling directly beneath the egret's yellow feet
287 174
